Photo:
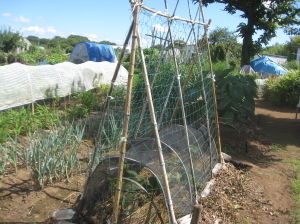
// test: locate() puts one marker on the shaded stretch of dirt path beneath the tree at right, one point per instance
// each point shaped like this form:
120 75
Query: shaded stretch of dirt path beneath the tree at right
257 140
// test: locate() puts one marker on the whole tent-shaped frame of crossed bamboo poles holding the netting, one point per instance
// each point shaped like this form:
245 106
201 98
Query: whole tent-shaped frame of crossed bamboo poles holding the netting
133 32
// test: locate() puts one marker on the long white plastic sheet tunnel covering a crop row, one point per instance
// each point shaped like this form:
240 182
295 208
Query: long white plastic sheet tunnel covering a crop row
22 84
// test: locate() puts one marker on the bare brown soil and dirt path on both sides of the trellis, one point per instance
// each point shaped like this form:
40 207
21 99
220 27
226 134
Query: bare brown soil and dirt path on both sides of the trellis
261 194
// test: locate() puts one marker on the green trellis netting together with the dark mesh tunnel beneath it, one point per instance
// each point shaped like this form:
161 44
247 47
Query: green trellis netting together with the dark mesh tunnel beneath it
170 148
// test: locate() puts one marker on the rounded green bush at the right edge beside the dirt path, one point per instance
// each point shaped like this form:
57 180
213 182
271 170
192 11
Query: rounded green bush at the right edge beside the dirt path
283 90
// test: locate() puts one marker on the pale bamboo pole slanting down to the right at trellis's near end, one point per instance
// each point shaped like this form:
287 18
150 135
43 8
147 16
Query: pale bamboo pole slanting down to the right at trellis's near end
157 137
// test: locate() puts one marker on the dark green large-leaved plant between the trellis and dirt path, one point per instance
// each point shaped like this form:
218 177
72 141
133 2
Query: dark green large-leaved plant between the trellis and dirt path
235 93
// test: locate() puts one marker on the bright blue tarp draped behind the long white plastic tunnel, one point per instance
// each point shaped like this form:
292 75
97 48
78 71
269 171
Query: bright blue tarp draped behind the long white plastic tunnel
100 52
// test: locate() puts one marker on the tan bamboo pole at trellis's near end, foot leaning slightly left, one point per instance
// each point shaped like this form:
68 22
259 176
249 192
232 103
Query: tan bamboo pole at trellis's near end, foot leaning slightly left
123 141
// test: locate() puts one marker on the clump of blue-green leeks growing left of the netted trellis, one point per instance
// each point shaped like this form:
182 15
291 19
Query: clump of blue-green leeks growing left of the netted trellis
53 155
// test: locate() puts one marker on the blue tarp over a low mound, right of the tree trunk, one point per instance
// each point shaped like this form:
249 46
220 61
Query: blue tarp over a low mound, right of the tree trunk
267 66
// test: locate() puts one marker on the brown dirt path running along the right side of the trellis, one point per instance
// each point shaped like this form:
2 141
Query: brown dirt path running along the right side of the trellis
269 154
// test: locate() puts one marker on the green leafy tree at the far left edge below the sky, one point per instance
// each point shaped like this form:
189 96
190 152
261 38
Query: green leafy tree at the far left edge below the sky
10 40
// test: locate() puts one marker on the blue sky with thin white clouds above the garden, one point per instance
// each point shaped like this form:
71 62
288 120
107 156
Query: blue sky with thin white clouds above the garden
98 19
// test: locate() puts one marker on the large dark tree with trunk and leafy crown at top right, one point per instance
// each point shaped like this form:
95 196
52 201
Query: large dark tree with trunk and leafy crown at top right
264 15
